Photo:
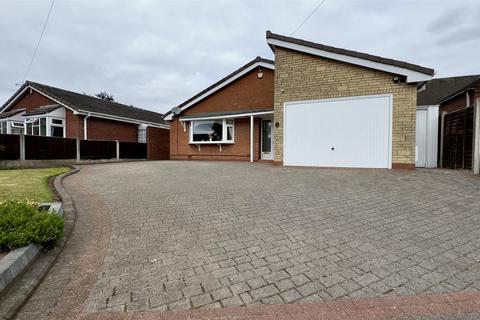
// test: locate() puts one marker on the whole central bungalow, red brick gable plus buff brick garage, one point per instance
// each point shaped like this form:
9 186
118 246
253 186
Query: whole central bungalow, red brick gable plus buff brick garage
316 105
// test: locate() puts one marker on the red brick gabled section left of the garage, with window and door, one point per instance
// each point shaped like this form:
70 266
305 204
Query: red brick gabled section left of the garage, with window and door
215 124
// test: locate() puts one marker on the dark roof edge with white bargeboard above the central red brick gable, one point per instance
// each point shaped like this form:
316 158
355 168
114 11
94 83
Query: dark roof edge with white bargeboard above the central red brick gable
220 83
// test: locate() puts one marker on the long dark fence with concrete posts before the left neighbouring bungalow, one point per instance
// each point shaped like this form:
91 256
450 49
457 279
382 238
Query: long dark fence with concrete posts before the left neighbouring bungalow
24 147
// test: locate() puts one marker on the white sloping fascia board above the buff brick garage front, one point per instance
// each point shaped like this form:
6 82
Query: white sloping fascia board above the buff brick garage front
412 76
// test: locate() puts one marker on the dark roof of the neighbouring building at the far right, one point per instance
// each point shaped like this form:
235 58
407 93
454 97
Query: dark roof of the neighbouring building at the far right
441 89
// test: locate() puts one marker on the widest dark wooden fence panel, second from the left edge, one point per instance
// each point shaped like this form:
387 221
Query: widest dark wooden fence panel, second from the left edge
49 148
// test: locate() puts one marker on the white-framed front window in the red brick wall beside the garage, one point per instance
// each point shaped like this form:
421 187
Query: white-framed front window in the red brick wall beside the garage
212 131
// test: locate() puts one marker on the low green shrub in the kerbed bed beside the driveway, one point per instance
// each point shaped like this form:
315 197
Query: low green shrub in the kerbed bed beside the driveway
22 223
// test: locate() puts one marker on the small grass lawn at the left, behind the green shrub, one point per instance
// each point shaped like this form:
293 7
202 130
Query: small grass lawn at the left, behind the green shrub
31 184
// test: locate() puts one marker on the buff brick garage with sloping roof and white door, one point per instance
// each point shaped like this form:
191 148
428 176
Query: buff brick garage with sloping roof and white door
335 107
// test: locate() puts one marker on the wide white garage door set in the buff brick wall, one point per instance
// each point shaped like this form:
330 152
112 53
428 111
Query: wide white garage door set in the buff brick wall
346 132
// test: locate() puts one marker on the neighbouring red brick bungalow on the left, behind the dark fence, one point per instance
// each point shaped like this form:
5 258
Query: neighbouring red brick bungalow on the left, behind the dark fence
38 109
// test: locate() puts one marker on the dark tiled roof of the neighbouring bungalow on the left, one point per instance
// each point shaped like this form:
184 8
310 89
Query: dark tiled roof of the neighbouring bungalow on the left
85 103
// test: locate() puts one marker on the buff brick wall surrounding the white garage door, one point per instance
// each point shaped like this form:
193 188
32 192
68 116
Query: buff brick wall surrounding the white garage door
306 77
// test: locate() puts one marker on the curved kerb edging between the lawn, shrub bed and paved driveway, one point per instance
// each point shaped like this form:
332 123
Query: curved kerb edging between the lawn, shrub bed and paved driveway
18 293
